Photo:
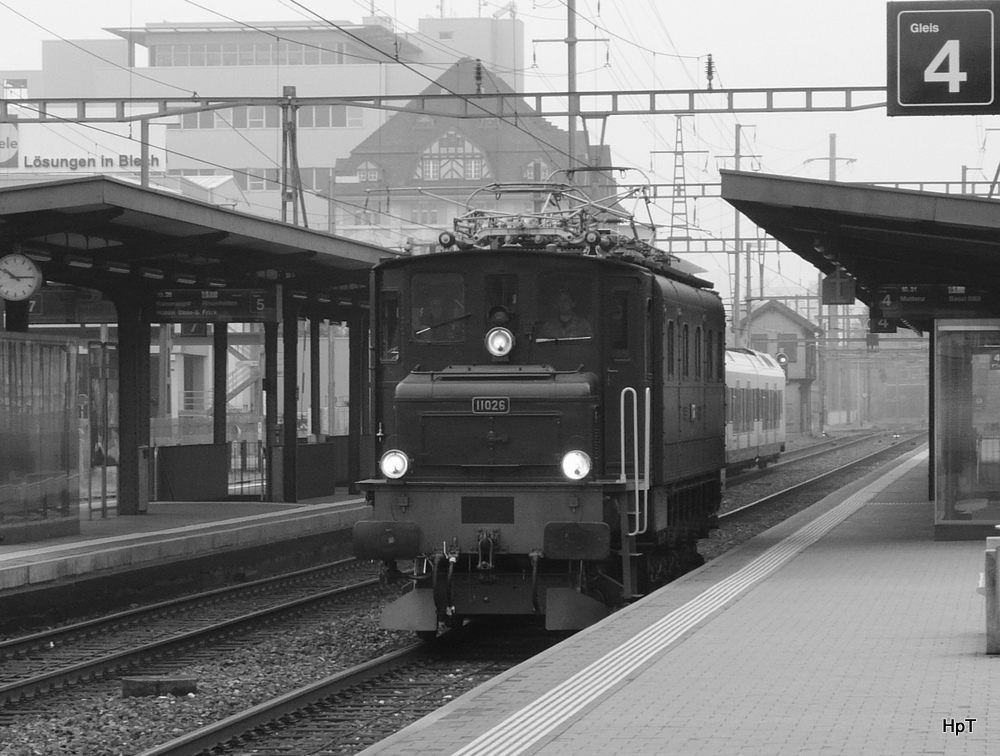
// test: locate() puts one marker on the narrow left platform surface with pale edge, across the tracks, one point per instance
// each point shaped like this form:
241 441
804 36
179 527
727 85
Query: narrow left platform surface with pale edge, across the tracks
168 531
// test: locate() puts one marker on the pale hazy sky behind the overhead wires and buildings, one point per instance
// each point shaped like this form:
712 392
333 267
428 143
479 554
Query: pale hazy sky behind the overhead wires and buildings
645 44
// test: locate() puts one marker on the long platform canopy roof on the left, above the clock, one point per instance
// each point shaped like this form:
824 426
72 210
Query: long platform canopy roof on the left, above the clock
107 234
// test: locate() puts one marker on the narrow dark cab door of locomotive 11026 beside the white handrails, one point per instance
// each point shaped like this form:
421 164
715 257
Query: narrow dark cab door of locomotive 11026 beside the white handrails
626 339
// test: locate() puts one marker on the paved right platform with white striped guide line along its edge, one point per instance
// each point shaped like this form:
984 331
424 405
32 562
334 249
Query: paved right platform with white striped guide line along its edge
844 631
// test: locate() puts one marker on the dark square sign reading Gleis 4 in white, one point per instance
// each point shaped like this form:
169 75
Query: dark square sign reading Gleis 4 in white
942 57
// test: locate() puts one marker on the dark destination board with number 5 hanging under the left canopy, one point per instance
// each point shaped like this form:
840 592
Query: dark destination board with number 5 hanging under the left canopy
214 306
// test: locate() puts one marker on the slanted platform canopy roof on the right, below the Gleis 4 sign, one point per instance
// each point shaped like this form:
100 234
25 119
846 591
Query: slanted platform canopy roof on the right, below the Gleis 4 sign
883 237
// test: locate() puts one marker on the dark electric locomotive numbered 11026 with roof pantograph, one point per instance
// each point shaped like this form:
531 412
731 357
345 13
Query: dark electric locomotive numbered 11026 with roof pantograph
548 403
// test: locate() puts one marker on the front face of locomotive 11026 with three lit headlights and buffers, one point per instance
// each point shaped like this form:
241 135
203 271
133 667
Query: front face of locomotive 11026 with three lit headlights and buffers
490 379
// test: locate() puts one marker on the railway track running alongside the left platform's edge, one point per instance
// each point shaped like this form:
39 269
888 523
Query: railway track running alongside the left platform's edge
141 638
